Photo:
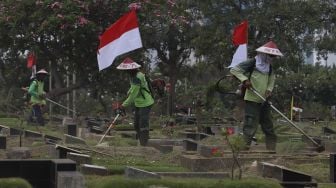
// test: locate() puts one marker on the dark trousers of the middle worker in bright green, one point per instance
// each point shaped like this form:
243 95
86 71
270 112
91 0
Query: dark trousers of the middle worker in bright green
141 123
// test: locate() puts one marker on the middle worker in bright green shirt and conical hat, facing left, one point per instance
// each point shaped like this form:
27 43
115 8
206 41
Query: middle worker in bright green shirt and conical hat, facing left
140 97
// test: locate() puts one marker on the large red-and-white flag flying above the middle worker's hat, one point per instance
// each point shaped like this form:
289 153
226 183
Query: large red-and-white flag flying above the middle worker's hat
121 37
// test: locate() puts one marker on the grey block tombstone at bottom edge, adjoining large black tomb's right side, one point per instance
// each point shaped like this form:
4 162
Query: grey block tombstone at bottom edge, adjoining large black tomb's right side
70 179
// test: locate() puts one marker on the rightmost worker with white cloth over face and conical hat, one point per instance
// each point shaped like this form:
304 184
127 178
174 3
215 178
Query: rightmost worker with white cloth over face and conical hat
257 73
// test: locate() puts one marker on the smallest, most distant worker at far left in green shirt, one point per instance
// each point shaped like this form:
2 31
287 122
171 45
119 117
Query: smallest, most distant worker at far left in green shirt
37 97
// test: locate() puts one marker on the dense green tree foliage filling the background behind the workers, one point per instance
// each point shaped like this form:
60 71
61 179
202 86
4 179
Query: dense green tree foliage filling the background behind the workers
65 34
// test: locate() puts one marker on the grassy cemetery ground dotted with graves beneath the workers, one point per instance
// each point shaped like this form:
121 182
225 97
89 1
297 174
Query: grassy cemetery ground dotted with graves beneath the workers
177 156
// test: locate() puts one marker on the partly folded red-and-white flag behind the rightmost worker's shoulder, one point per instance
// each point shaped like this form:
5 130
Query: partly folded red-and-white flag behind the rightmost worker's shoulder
239 39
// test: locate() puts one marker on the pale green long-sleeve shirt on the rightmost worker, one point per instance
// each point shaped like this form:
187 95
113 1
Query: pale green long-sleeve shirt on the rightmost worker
261 82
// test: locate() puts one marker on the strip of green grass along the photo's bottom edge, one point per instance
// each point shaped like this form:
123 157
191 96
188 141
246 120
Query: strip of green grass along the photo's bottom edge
122 182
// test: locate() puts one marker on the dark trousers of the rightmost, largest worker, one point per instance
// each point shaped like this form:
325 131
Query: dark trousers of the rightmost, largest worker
259 113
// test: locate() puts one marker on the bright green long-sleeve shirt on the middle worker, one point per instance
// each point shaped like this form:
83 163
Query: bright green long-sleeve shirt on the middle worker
138 93
